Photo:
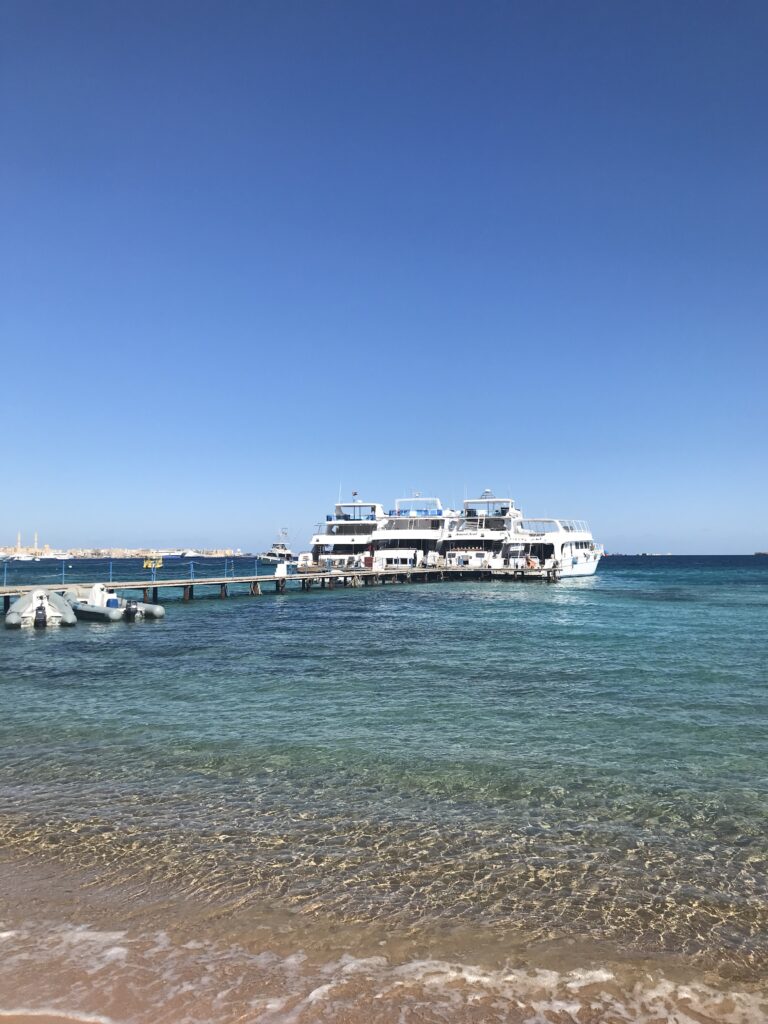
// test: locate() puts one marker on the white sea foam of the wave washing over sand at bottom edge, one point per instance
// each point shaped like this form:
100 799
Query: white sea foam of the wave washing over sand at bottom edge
199 983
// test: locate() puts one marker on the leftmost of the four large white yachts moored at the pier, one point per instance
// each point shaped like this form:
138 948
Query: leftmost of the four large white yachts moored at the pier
346 540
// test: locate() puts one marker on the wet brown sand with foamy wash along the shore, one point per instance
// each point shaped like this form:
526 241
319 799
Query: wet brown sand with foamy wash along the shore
74 952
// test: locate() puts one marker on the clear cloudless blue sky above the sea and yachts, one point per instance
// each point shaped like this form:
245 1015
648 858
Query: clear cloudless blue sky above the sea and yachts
254 251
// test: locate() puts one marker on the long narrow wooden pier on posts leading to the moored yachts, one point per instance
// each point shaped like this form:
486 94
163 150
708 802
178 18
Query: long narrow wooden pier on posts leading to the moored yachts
321 580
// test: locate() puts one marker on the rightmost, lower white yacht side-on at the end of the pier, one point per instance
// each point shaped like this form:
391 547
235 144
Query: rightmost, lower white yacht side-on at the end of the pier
564 545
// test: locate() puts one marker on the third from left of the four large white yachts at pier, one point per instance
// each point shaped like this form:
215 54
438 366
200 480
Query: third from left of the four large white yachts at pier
478 538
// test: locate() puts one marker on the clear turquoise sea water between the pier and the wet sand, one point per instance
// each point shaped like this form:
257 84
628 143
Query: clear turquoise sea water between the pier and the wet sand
530 762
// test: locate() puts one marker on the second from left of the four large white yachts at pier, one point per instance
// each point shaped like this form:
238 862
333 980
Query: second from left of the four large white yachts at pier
412 533
